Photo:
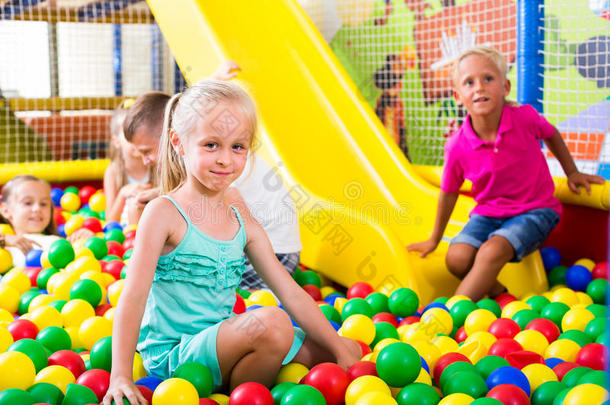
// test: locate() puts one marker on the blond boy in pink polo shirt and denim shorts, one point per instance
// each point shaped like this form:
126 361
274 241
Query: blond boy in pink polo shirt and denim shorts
498 149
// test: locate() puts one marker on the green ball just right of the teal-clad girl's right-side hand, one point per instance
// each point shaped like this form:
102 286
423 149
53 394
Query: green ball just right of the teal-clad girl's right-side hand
398 364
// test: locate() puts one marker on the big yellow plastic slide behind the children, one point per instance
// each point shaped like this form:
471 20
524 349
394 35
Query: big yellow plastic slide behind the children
360 202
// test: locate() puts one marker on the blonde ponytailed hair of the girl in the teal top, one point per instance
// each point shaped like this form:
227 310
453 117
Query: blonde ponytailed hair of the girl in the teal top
183 112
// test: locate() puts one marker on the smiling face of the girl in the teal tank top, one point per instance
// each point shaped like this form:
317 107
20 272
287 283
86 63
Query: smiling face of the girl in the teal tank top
215 153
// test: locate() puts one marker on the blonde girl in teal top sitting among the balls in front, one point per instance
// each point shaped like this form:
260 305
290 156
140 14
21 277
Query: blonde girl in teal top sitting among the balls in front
176 305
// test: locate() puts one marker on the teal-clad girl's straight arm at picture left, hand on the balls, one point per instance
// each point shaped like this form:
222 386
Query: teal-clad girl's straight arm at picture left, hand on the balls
150 239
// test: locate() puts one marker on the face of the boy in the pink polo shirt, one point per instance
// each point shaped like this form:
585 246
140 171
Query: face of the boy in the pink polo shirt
480 86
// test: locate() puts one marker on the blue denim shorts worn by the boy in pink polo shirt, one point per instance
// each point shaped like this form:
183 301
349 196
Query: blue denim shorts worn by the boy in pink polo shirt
525 232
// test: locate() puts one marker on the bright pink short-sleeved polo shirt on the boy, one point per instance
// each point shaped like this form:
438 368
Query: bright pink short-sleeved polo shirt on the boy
509 176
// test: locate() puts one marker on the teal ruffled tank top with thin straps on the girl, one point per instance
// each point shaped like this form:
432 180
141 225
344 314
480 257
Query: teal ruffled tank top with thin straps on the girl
193 287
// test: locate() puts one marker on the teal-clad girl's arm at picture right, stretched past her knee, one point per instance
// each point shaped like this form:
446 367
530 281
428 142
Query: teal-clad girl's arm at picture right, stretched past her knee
298 303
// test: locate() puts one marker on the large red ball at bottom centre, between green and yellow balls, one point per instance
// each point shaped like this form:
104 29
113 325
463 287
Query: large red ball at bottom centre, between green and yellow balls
330 379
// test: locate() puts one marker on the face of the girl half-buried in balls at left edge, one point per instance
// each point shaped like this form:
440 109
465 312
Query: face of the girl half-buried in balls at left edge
29 207
